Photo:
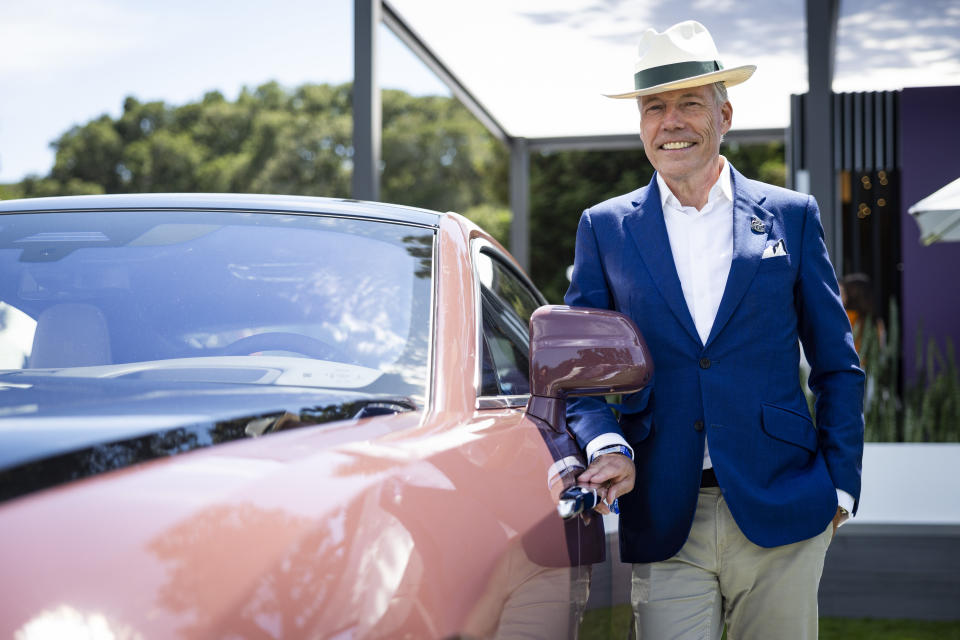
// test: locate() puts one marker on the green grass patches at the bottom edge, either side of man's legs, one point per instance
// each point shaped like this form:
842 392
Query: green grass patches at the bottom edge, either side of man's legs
609 623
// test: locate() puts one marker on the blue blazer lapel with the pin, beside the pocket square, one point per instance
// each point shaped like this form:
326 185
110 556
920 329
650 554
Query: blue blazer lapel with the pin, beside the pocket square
749 241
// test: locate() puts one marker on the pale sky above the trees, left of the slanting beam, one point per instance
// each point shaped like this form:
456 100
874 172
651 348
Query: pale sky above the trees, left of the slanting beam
65 62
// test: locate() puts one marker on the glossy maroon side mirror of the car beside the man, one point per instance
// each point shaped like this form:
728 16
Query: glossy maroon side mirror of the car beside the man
582 352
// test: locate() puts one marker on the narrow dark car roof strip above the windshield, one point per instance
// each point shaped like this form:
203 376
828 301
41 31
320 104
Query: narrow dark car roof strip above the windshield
227 202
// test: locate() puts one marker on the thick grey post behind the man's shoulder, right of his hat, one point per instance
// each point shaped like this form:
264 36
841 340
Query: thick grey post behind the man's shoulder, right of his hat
818 121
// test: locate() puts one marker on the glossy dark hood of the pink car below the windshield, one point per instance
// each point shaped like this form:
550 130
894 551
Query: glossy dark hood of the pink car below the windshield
54 428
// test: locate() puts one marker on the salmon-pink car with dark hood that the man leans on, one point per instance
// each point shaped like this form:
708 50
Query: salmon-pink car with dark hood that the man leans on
261 416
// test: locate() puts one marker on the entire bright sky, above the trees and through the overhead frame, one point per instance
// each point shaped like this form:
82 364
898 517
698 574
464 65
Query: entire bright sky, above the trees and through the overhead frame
540 66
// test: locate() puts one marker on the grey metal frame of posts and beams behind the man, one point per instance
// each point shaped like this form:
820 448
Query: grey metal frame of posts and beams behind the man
821 37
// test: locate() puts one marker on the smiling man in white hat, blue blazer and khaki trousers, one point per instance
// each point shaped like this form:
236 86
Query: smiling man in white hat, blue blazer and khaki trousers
732 495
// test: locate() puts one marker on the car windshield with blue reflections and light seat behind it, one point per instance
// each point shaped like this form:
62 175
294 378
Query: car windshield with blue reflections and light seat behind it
218 297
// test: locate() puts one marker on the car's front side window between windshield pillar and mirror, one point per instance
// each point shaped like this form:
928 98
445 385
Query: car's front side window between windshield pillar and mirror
506 305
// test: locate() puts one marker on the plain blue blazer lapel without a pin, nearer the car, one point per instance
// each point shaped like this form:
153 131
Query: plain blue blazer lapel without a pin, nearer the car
649 233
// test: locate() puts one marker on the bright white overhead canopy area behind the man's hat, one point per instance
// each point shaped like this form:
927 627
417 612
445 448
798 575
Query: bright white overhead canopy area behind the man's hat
540 66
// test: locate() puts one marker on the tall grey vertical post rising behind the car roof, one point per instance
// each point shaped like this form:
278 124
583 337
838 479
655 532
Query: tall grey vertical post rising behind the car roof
365 183
